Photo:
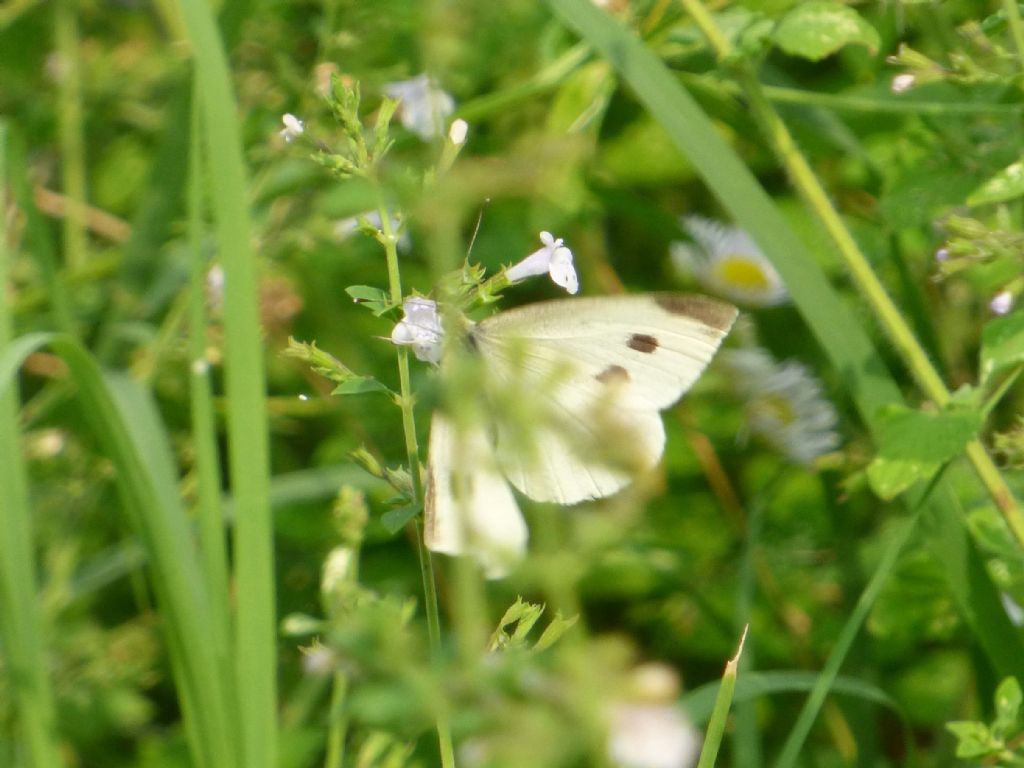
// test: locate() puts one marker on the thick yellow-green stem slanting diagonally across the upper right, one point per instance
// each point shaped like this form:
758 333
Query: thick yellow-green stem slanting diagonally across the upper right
815 196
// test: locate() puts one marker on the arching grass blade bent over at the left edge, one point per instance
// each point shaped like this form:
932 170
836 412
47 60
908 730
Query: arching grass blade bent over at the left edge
125 421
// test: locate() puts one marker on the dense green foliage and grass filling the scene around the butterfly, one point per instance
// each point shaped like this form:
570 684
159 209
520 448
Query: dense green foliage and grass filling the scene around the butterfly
210 537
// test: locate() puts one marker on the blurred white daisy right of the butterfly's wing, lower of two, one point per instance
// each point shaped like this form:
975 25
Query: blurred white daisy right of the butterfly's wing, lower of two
786 405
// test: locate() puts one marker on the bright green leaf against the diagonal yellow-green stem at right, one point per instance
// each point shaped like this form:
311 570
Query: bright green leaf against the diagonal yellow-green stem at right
914 445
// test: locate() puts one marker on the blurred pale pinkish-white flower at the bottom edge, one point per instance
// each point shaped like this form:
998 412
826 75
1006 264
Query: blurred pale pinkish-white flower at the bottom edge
651 731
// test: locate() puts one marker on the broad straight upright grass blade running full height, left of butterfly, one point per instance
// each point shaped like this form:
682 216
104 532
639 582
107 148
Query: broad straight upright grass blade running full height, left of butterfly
245 382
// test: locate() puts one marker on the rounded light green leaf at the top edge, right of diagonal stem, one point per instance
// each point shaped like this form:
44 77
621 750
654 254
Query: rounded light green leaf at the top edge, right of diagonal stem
817 30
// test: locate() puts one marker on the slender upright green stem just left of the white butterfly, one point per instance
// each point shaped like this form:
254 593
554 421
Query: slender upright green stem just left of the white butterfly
413 452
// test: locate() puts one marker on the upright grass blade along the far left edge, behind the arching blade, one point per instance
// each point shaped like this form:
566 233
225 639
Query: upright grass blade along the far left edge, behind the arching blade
21 623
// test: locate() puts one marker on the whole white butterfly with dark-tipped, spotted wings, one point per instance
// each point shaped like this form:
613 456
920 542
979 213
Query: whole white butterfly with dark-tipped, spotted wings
596 372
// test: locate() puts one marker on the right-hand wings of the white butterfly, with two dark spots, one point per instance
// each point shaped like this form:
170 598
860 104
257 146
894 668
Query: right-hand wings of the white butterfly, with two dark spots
600 371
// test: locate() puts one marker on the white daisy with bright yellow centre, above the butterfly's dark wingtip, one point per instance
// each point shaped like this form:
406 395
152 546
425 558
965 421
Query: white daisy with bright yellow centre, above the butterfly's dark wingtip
728 262
